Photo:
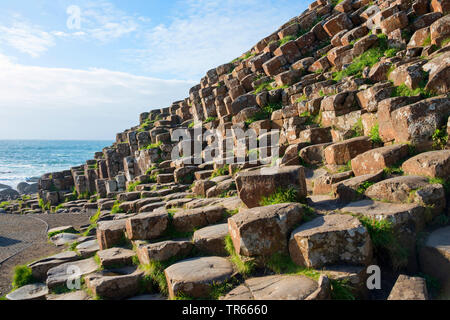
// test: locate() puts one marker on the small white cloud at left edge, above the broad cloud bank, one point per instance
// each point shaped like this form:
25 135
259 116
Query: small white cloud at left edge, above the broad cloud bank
26 38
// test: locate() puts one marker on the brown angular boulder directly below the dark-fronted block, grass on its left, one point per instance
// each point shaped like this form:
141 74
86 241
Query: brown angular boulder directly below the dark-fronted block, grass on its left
264 231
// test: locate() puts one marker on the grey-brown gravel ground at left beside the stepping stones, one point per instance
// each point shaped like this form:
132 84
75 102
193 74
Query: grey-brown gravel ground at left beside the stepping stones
23 239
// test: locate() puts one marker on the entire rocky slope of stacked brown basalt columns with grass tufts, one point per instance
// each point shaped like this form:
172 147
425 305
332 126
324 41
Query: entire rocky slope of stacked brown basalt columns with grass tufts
352 100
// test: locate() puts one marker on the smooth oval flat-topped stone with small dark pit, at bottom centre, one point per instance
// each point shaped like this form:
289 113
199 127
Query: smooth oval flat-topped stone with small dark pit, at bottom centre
195 277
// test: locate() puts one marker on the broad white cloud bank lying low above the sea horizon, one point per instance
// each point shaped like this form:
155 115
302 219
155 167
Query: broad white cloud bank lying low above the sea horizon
57 103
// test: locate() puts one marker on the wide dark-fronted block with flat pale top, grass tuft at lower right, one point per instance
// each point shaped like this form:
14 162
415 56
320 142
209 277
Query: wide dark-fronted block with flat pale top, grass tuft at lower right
254 185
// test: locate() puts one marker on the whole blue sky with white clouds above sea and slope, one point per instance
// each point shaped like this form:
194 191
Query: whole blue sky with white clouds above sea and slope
85 70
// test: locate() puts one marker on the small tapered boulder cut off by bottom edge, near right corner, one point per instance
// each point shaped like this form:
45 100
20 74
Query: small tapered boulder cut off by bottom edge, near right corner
409 288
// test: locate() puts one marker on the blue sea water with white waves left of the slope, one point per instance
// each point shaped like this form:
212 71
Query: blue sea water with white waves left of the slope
24 159
